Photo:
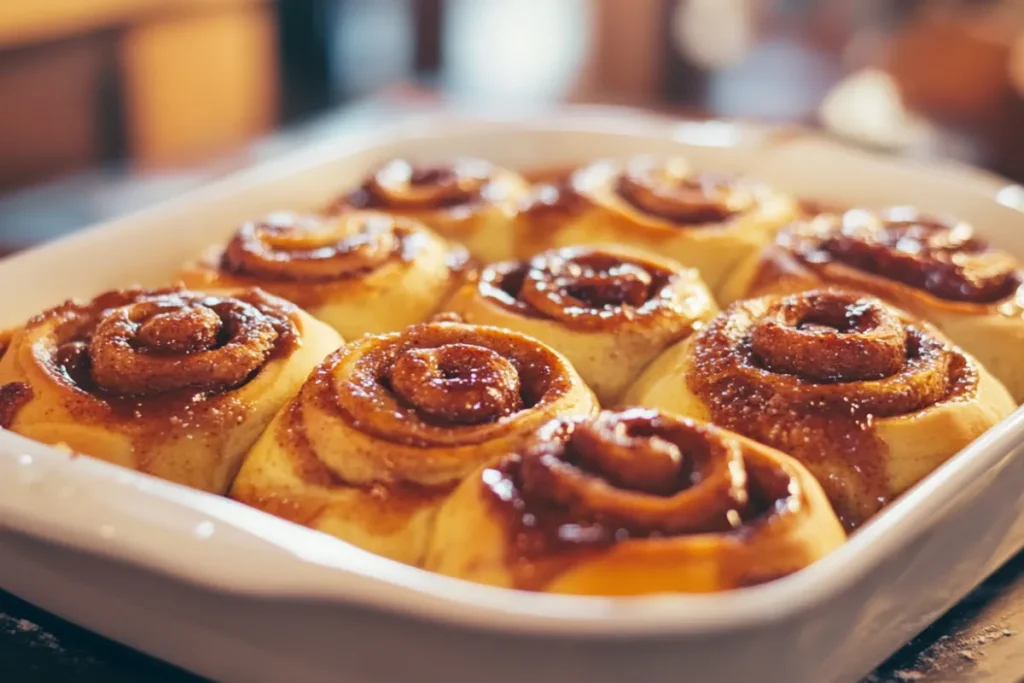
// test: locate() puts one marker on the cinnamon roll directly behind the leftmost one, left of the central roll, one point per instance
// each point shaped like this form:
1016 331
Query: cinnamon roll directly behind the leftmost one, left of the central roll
361 272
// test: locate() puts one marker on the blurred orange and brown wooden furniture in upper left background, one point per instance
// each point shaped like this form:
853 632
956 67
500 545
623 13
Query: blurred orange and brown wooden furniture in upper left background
177 81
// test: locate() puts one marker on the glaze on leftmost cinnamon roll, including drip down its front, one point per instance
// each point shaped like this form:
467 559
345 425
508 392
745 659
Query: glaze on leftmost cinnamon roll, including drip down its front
169 355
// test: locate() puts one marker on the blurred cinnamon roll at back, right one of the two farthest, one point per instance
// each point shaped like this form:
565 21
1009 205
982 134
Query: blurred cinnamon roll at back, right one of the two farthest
704 221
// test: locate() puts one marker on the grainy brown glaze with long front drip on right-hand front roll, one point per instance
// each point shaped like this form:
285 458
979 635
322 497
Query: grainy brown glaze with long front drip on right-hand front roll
810 374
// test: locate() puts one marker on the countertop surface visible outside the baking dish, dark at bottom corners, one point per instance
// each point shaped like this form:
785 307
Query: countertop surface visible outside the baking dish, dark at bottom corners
982 639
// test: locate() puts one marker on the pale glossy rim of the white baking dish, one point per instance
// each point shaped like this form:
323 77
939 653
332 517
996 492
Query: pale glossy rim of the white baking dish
314 575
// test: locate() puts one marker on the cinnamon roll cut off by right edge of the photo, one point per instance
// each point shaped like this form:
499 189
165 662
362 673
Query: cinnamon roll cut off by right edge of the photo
937 270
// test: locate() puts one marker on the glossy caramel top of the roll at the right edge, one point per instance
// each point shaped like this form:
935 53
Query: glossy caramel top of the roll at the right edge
946 260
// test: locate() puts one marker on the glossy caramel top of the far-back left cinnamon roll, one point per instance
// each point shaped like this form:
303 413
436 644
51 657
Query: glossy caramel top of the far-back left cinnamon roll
402 186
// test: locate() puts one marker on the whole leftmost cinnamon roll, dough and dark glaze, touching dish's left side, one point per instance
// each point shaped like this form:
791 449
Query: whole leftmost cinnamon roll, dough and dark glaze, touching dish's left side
170 382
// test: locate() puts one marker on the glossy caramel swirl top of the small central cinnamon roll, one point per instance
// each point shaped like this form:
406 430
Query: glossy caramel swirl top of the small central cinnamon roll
588 288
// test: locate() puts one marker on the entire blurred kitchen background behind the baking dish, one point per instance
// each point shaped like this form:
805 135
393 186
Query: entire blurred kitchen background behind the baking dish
111 105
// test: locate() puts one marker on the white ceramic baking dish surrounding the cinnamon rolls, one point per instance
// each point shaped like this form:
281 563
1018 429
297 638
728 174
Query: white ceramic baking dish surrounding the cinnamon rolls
237 595
